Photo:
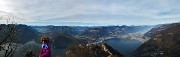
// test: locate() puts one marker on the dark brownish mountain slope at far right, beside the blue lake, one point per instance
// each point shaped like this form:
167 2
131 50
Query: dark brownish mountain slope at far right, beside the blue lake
164 42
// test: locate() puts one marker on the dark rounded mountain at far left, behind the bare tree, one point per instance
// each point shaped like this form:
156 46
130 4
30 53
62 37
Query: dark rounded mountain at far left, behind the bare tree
20 33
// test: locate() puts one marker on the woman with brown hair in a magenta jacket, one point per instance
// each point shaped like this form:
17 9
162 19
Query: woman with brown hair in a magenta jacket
46 48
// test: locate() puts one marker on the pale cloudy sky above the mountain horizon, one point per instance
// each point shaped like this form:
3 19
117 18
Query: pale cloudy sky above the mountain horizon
90 12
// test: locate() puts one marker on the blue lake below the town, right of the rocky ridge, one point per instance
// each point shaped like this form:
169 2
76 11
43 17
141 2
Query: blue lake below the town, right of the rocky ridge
124 46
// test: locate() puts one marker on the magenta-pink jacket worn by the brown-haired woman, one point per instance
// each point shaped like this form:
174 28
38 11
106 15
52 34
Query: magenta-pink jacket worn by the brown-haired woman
46 51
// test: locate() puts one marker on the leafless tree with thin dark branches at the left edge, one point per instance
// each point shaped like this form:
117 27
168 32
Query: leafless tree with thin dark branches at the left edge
7 44
